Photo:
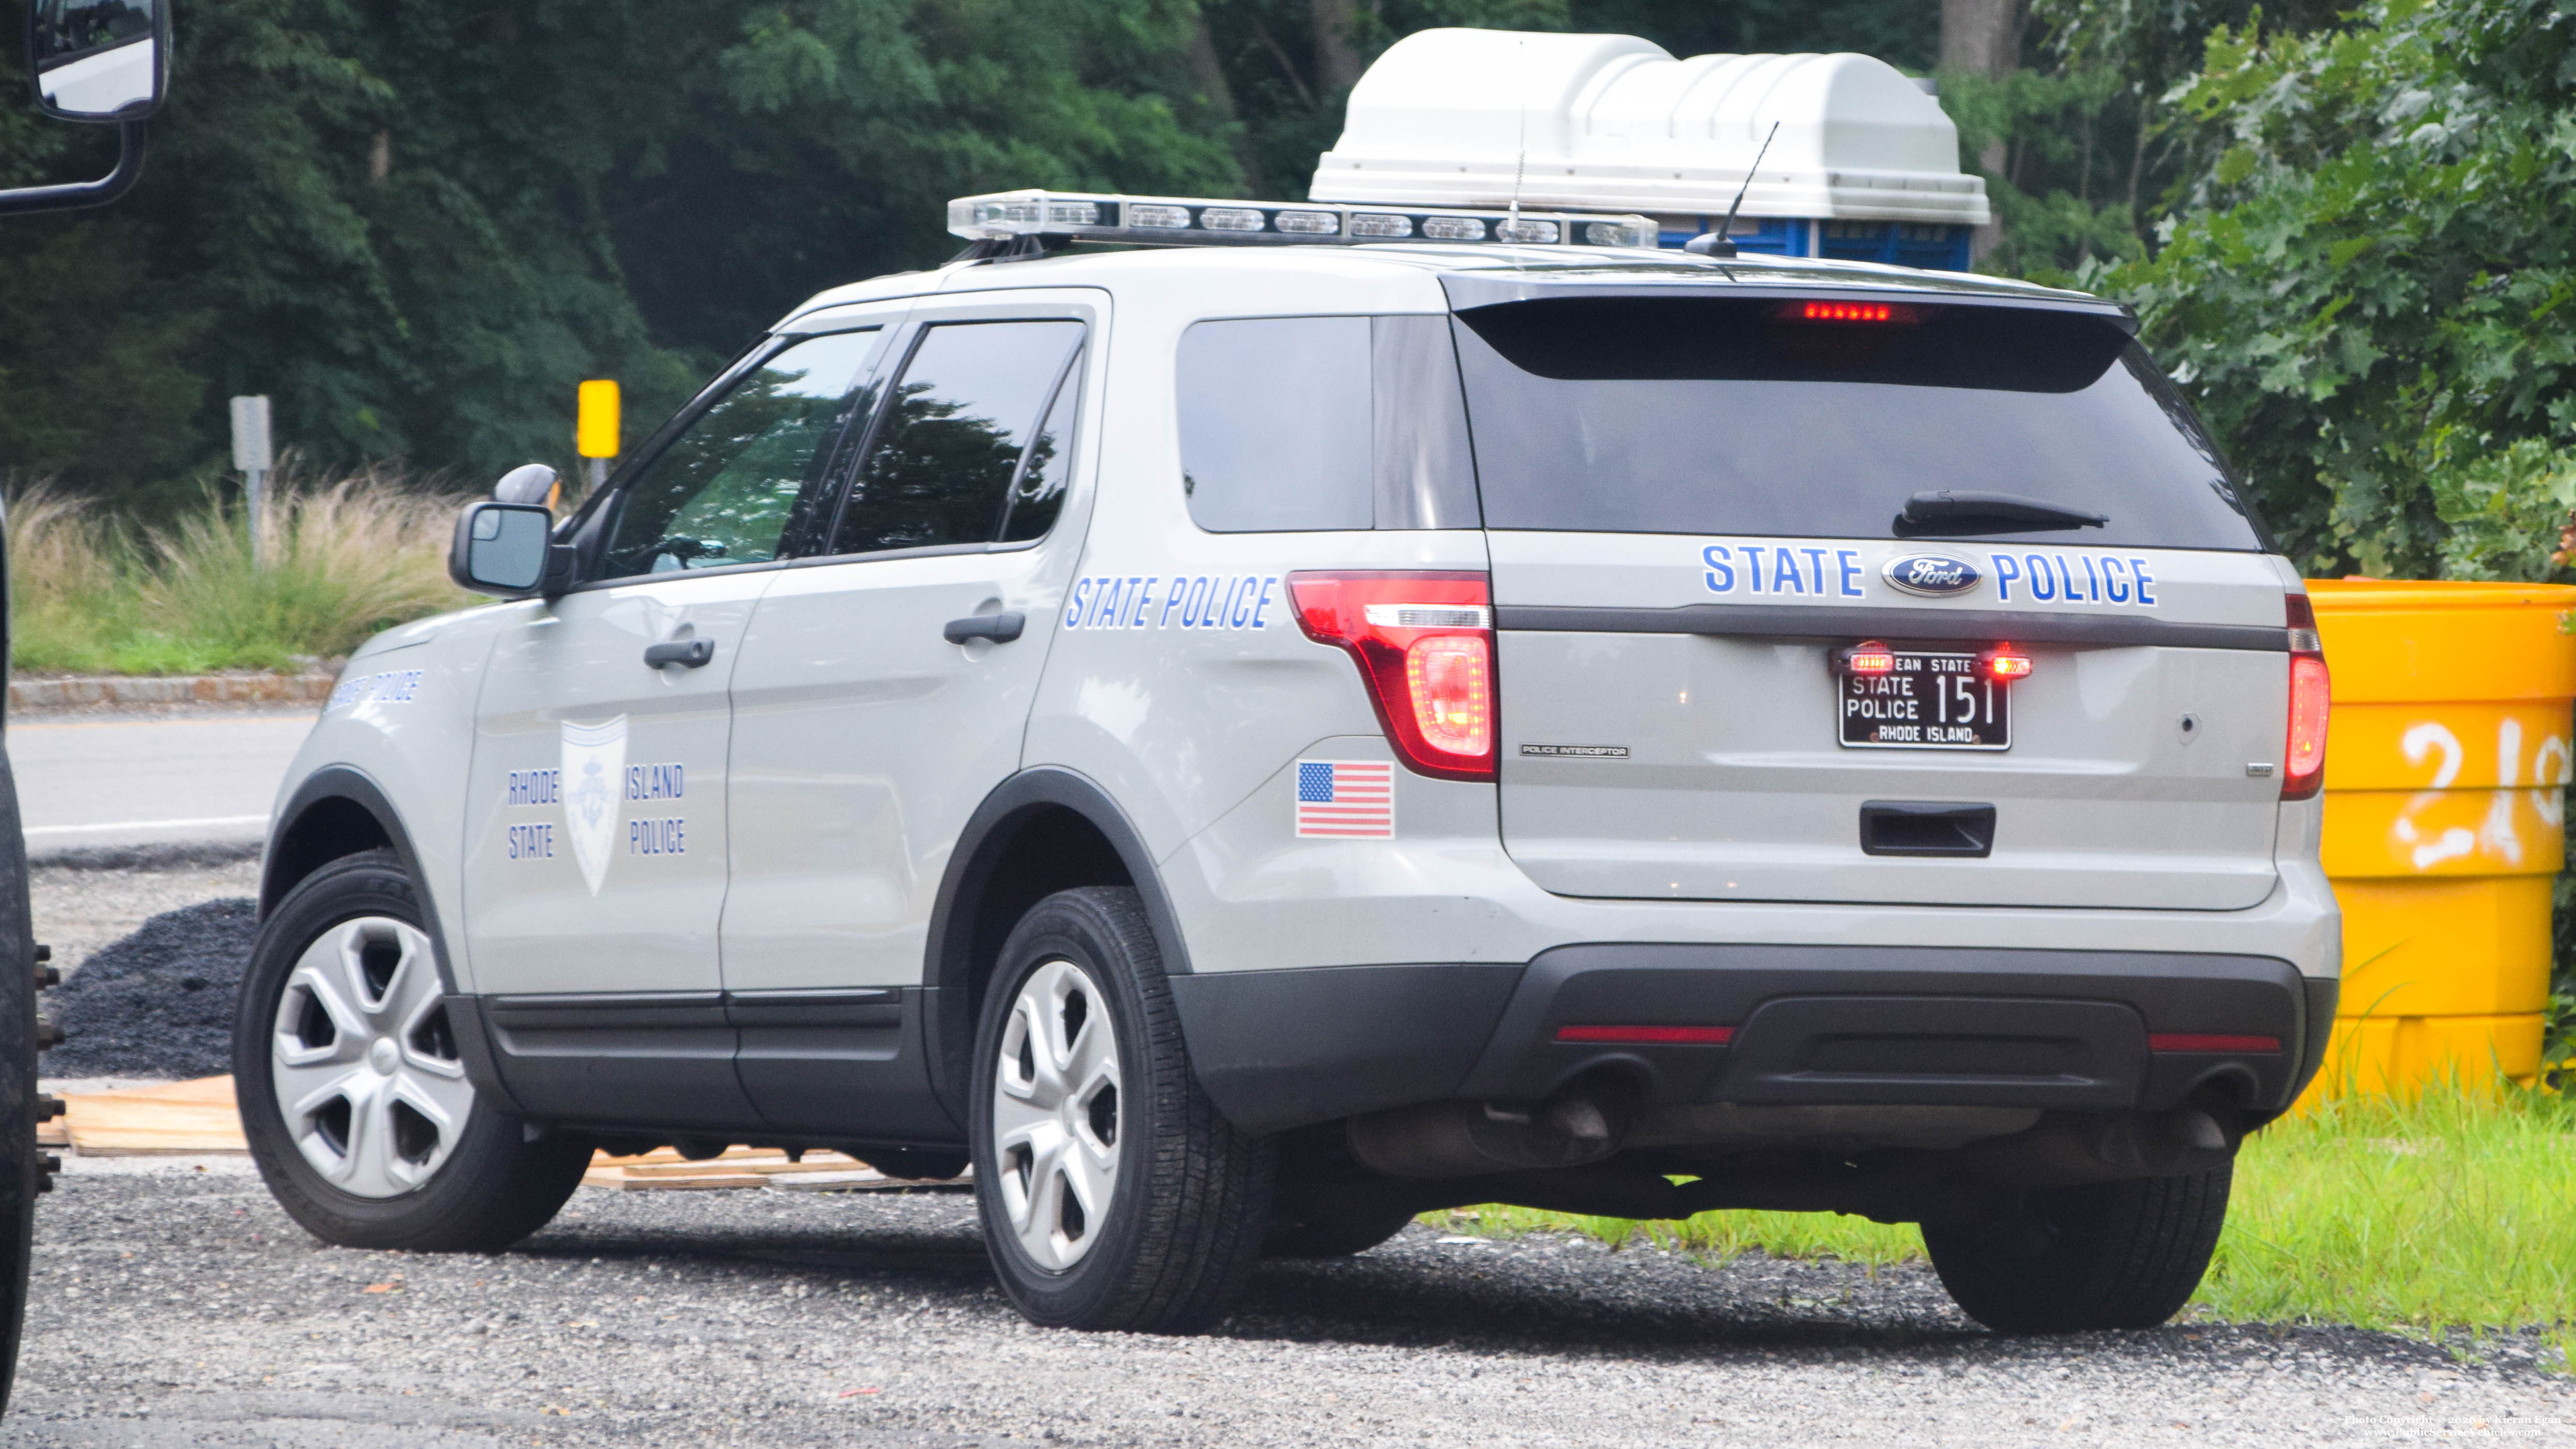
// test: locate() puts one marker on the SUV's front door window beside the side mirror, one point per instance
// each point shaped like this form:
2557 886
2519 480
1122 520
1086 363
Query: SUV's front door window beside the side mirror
725 490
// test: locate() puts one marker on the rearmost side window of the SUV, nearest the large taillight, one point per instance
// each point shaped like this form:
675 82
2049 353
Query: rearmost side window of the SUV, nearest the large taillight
1323 423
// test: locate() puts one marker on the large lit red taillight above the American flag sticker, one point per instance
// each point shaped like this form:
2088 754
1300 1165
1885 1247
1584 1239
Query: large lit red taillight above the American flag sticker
1426 645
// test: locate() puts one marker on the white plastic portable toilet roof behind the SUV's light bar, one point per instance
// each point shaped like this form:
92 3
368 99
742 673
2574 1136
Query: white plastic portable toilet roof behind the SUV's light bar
1614 122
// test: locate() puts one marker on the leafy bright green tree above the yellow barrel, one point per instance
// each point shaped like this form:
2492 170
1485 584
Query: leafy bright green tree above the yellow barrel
2366 282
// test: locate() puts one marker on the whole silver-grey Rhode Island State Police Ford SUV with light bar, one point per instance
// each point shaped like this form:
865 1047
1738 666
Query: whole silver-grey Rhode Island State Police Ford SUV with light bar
1240 745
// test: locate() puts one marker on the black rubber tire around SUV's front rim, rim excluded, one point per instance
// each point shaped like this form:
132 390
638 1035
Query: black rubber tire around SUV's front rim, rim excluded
493 1188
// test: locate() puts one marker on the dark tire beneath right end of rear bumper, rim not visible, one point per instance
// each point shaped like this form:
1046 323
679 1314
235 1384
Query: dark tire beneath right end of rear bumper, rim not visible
2111 1255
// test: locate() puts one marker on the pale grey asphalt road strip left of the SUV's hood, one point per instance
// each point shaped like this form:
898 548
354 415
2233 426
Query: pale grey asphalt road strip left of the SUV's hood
151 781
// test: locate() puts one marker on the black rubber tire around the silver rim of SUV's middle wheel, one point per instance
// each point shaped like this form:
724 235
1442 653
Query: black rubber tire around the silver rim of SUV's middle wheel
1191 1193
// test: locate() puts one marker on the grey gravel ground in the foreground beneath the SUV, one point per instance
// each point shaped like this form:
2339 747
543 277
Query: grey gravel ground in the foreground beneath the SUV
182 1309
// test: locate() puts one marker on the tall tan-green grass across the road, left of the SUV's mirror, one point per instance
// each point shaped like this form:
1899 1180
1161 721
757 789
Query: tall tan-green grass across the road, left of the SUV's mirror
344 557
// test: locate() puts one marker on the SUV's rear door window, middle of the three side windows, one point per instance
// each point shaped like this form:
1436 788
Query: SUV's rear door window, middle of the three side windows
975 411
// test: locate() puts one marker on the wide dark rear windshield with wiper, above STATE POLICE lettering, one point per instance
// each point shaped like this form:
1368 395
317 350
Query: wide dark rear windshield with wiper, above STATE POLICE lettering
1745 416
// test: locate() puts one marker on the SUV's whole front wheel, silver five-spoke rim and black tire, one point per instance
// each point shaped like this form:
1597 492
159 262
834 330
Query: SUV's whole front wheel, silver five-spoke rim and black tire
352 1087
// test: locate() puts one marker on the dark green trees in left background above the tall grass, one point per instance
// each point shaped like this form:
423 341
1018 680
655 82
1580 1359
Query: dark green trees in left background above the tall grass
421 225
